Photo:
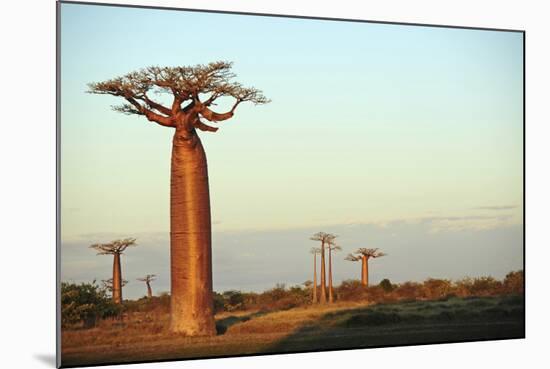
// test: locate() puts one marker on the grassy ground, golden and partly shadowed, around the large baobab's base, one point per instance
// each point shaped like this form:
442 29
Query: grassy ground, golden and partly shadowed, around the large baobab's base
337 326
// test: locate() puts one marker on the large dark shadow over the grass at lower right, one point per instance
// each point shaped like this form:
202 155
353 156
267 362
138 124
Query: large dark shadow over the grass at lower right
400 324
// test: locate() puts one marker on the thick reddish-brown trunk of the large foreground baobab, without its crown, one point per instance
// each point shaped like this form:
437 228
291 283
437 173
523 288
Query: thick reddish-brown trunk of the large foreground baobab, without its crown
190 238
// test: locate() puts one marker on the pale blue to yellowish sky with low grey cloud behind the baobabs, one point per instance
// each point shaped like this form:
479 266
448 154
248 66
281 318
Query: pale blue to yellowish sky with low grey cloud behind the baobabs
405 138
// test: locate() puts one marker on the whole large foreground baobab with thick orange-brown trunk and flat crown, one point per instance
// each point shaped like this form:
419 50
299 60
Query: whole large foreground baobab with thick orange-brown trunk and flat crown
192 91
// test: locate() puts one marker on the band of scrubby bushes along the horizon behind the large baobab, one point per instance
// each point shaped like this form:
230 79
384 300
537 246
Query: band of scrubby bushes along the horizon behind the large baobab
85 304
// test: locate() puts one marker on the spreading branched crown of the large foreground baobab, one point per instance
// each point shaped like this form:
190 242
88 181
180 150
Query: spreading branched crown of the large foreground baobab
194 89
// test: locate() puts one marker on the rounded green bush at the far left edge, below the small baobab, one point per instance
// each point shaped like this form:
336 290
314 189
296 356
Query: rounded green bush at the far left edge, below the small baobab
85 303
